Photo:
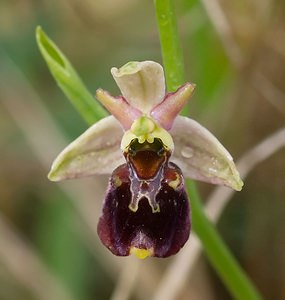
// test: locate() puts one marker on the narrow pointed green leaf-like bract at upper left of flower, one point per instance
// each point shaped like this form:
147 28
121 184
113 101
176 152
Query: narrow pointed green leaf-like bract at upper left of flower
68 80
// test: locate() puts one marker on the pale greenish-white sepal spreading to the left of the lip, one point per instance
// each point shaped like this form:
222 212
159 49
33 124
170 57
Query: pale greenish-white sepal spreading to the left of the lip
96 151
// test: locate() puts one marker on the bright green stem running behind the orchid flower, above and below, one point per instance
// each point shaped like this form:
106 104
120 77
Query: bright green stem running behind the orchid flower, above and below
217 252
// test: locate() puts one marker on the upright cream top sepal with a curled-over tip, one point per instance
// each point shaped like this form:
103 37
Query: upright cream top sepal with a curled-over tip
142 84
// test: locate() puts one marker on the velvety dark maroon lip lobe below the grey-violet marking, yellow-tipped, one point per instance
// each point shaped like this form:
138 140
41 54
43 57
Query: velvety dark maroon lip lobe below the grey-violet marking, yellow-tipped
144 232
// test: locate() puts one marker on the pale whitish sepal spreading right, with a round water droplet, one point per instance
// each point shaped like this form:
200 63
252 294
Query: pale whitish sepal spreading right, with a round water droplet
201 156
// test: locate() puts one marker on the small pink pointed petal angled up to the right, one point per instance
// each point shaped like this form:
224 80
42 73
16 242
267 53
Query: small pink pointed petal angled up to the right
166 111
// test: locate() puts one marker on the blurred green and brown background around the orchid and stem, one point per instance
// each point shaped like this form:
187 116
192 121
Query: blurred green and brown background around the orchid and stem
234 51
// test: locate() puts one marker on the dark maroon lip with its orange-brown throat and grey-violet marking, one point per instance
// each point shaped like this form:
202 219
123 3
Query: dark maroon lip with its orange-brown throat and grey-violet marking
146 206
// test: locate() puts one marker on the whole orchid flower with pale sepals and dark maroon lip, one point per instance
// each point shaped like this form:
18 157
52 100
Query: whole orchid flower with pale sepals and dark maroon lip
148 149
